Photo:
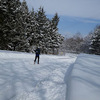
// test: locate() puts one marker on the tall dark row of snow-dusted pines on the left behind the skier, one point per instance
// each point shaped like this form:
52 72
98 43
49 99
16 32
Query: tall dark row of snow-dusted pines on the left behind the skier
24 30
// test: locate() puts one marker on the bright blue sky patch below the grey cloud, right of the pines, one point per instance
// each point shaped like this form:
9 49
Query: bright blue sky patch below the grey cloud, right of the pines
72 25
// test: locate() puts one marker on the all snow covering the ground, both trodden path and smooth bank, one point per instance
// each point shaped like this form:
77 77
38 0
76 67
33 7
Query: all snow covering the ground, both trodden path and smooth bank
56 77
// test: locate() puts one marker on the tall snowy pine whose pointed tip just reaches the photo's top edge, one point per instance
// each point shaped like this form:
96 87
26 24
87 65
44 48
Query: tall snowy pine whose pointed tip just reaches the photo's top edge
20 41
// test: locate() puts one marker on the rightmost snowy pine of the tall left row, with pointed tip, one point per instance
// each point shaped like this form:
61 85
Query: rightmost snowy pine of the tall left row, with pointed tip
56 38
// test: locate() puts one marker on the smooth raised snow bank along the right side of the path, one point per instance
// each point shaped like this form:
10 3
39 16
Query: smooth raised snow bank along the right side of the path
83 78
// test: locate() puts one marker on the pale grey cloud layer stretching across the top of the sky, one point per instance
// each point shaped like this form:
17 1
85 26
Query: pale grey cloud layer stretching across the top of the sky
75 8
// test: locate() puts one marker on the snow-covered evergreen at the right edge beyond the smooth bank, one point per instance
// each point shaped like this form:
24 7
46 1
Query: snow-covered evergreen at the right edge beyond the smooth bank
95 42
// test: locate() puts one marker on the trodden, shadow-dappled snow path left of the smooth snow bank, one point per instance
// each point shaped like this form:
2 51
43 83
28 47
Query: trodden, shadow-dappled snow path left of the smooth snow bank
20 79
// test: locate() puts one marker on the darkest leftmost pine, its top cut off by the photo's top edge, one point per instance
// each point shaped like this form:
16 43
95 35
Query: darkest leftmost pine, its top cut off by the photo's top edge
8 8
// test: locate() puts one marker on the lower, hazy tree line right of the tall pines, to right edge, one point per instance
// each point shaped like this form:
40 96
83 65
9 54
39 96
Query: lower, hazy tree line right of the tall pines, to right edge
78 44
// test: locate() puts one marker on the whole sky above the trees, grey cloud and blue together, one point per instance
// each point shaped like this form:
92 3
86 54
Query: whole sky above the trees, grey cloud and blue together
75 15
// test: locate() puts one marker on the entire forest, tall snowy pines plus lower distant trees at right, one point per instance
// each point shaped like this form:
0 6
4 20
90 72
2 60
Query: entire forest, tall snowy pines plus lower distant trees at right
24 30
